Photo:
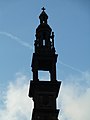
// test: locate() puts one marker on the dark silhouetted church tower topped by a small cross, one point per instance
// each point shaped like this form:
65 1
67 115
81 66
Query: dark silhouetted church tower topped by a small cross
44 93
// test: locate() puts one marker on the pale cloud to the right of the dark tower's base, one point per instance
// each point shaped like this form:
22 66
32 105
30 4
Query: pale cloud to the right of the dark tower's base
75 98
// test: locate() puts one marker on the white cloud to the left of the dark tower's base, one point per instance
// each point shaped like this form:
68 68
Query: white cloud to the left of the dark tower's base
17 104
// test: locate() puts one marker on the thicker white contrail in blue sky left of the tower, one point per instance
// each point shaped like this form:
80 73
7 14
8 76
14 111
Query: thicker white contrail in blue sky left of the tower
23 43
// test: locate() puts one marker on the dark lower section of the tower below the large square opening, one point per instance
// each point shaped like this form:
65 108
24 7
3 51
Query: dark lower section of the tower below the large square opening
44 94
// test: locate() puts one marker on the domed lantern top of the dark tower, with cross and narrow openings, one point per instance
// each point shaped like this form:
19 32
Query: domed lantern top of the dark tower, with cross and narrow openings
44 36
